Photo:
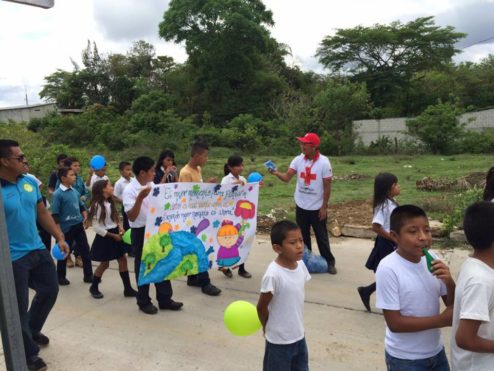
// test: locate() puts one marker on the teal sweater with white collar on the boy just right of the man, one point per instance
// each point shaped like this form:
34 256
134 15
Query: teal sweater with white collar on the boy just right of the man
67 204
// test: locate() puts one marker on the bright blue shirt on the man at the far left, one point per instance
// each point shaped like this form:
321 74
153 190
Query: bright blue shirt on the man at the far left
20 201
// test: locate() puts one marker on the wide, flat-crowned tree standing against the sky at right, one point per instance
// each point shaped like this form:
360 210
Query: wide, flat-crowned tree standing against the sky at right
386 57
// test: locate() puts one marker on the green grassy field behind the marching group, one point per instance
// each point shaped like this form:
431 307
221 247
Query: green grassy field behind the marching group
408 169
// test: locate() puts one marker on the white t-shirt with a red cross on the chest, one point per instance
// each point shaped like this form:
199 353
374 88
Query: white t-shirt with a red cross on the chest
310 174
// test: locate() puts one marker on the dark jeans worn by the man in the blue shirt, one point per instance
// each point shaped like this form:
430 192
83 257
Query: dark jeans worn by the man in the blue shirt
36 271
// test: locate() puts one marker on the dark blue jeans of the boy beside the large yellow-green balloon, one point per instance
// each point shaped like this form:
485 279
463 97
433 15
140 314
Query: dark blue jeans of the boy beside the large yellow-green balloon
286 357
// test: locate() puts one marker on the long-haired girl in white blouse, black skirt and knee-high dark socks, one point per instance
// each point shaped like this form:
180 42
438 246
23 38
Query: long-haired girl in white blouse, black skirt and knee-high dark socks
107 244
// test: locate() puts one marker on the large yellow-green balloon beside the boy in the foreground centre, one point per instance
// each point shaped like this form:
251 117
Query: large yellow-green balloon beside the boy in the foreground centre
241 318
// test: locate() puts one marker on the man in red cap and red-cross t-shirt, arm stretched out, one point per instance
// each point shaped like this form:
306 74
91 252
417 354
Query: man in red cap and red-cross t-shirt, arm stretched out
312 193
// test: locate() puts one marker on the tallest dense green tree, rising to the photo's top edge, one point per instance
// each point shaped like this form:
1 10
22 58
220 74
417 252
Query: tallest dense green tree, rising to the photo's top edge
233 59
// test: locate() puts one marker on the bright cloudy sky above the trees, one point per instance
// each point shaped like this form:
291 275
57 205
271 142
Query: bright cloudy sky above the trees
36 42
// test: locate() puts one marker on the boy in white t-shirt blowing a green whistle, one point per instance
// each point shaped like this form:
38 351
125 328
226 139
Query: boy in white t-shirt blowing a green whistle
409 295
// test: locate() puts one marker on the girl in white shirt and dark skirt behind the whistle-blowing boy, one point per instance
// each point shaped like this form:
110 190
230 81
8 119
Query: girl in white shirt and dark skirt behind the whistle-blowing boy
386 187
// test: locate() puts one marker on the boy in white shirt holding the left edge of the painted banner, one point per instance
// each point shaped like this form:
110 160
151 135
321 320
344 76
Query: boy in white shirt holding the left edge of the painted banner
135 201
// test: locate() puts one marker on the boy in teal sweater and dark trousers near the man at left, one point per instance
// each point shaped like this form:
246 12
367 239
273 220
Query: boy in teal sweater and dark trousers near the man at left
69 211
